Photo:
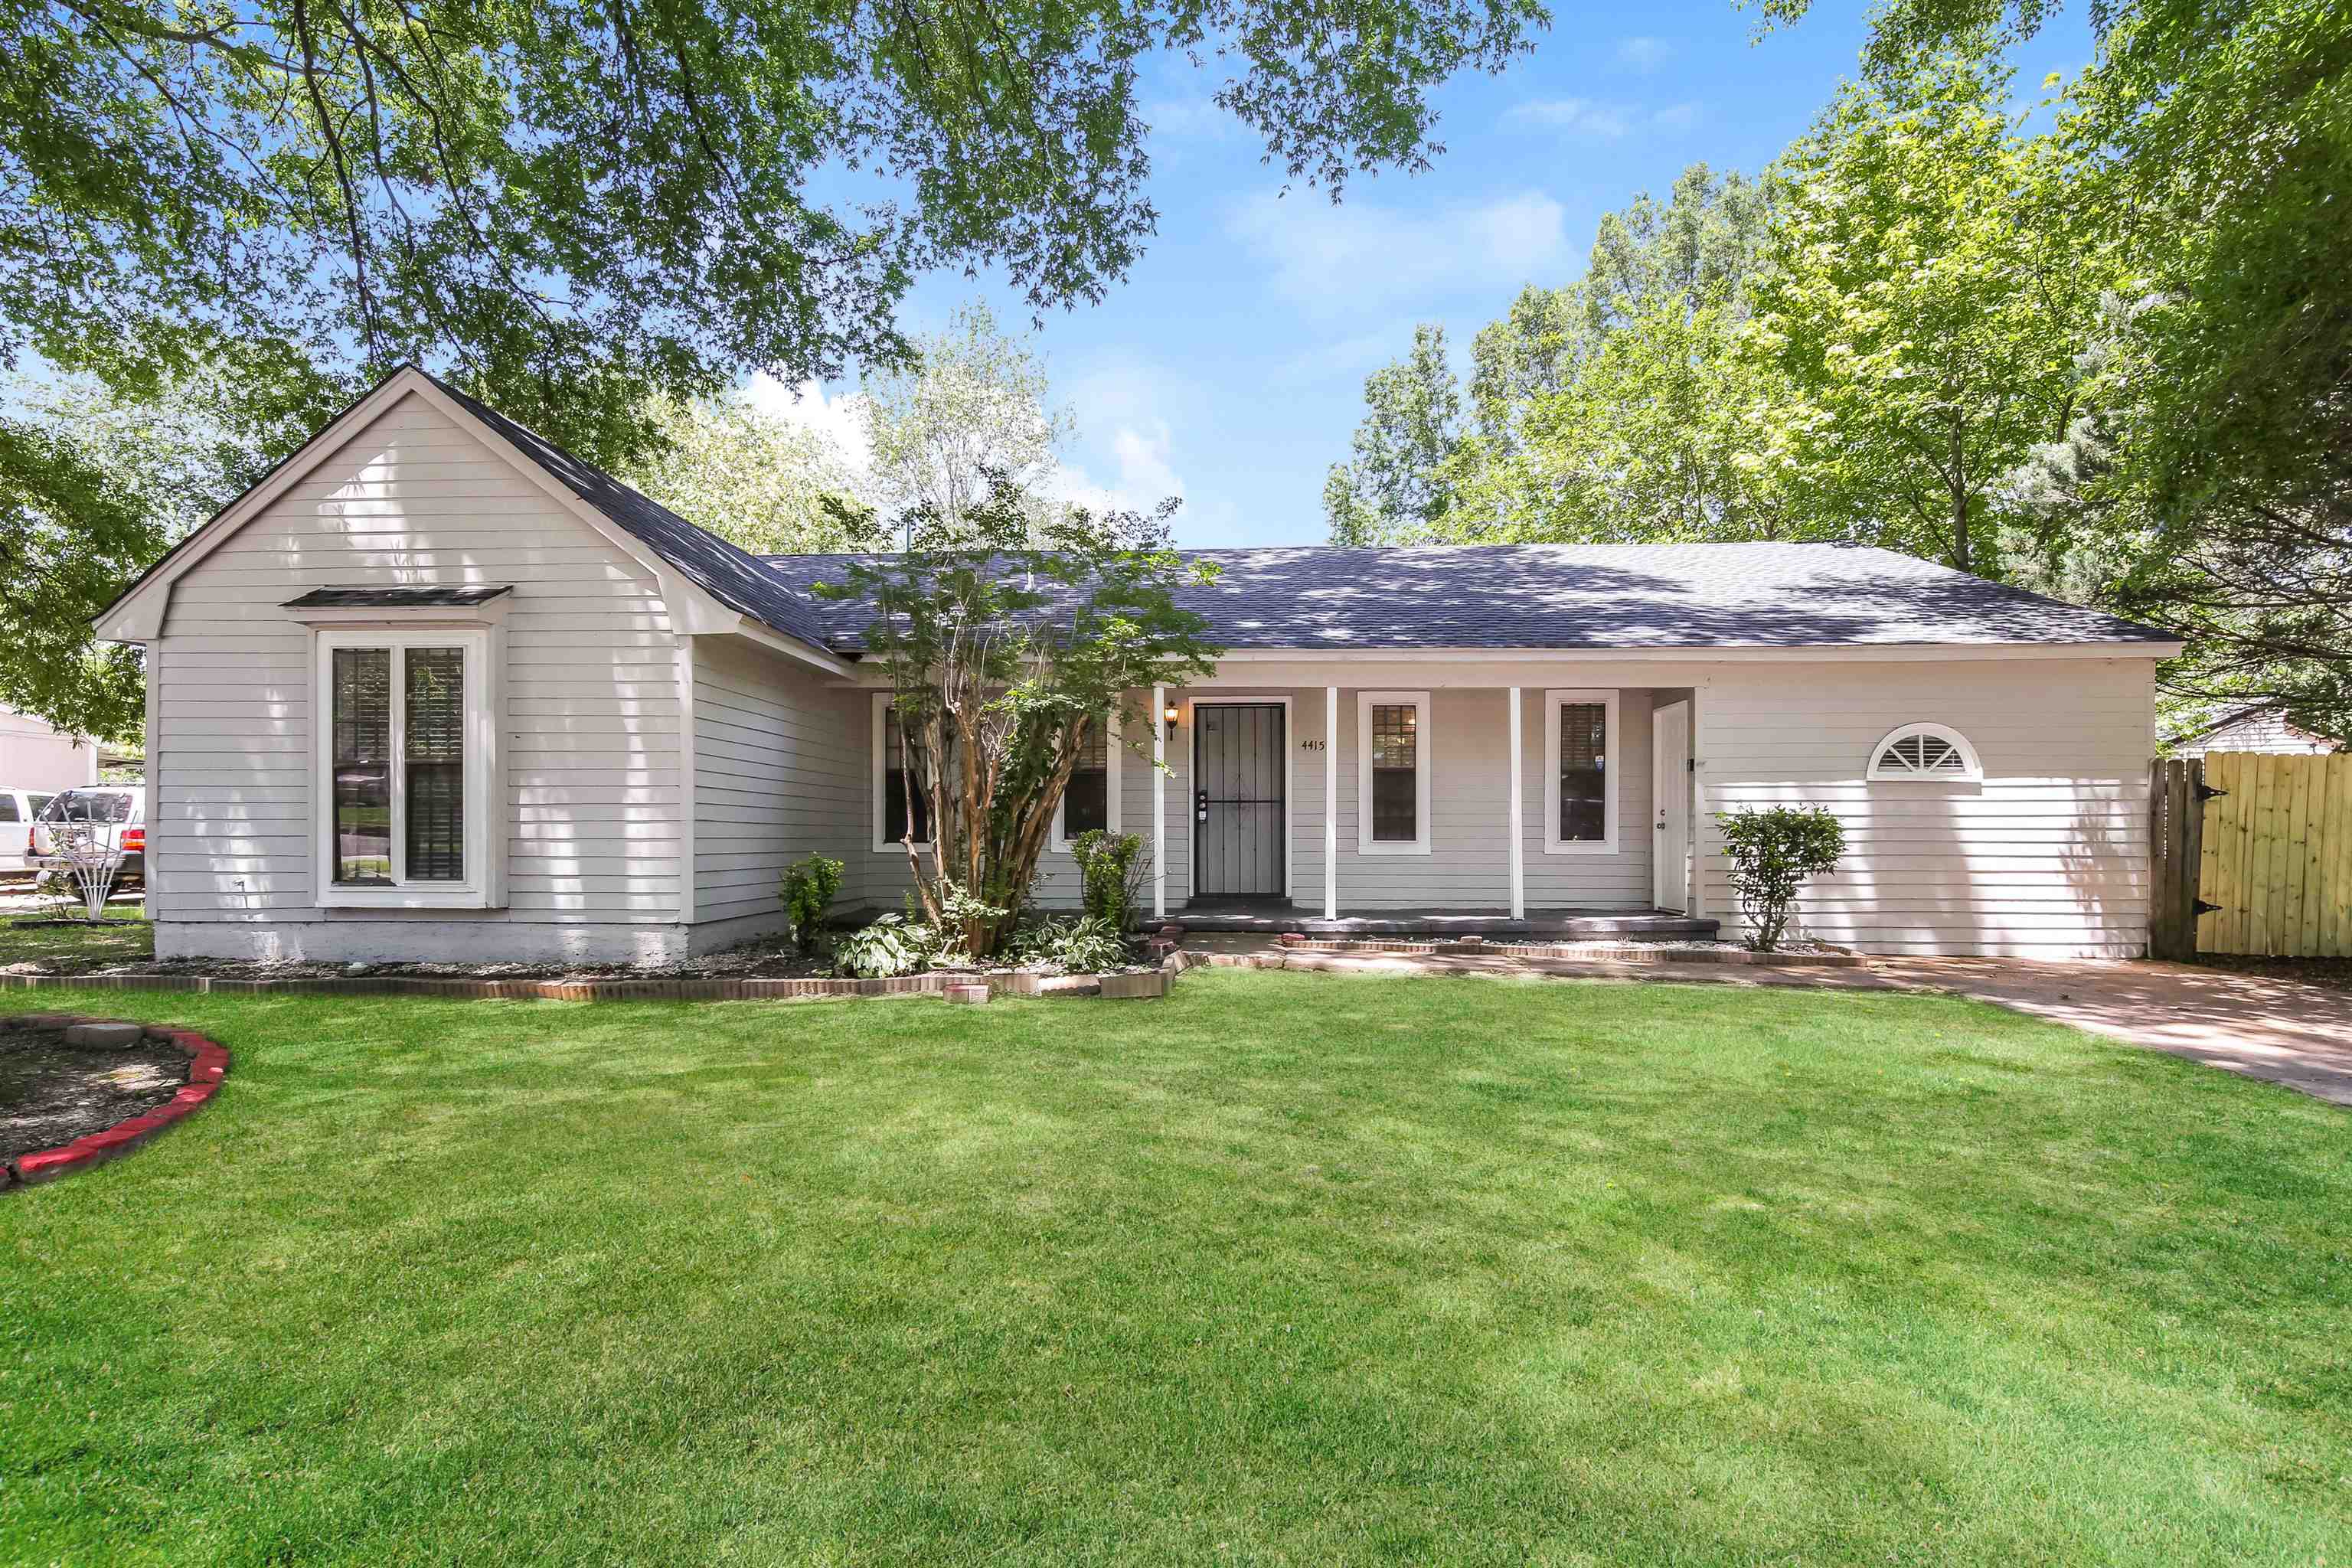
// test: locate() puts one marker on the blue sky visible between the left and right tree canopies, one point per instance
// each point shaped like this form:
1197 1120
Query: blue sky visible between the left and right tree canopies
1229 368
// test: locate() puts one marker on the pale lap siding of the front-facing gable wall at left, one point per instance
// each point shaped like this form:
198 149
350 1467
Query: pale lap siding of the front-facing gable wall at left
589 803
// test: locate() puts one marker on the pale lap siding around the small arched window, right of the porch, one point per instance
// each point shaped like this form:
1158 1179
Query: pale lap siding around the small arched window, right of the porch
2047 857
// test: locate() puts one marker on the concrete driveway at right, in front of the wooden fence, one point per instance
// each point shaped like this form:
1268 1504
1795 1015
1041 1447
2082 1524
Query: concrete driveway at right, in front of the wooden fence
2283 1031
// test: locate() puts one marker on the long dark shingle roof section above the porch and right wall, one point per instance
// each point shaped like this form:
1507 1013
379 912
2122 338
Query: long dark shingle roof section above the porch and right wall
1584 598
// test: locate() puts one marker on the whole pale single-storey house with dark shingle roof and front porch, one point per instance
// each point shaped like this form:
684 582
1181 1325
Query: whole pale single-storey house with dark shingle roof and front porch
441 690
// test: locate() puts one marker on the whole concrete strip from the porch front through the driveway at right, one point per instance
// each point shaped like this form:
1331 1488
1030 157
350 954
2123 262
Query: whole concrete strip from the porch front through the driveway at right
2280 1031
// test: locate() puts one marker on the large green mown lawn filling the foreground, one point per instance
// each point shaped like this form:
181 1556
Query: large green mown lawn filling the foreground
1285 1271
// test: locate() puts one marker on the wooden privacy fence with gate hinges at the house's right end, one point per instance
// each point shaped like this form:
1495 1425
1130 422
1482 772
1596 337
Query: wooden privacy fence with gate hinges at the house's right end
2252 855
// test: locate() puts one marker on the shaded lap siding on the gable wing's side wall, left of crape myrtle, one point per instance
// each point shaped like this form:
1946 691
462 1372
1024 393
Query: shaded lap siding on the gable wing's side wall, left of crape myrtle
780 775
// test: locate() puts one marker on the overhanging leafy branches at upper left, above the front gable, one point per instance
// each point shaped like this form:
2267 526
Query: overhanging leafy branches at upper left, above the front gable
580 206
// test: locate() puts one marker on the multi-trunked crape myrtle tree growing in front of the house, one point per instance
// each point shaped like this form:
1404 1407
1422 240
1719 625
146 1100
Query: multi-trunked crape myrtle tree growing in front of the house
1003 641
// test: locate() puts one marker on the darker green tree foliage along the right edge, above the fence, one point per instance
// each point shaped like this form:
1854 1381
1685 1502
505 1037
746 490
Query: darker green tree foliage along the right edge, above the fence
2207 481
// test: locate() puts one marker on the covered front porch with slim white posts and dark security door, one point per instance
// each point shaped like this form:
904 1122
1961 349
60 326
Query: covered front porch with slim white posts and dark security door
1426 798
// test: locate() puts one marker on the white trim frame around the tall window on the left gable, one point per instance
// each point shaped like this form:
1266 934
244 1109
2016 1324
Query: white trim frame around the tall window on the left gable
483 885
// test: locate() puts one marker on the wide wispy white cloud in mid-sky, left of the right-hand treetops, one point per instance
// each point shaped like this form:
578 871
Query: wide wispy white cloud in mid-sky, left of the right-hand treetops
1337 260
